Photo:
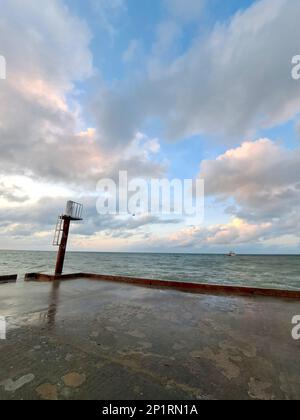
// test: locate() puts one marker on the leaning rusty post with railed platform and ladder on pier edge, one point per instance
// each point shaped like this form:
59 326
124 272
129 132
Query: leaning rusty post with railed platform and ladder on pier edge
73 213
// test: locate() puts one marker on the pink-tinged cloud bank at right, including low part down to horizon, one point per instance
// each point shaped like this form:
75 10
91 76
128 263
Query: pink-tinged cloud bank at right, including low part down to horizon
259 182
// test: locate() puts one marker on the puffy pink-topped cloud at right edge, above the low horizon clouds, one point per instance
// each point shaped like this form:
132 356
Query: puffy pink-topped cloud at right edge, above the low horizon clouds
262 177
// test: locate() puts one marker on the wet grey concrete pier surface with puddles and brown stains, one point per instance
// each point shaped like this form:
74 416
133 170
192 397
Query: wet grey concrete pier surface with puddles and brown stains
82 339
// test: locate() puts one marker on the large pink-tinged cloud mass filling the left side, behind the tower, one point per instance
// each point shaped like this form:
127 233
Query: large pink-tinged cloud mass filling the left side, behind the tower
47 153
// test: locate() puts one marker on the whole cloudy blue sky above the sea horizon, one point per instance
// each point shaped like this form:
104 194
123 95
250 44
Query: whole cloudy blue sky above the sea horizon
161 89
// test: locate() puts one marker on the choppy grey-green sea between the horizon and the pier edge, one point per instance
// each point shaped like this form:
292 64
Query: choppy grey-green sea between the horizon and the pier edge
245 270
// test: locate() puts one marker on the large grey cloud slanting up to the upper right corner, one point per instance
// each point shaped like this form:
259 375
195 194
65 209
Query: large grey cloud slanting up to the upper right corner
231 83
